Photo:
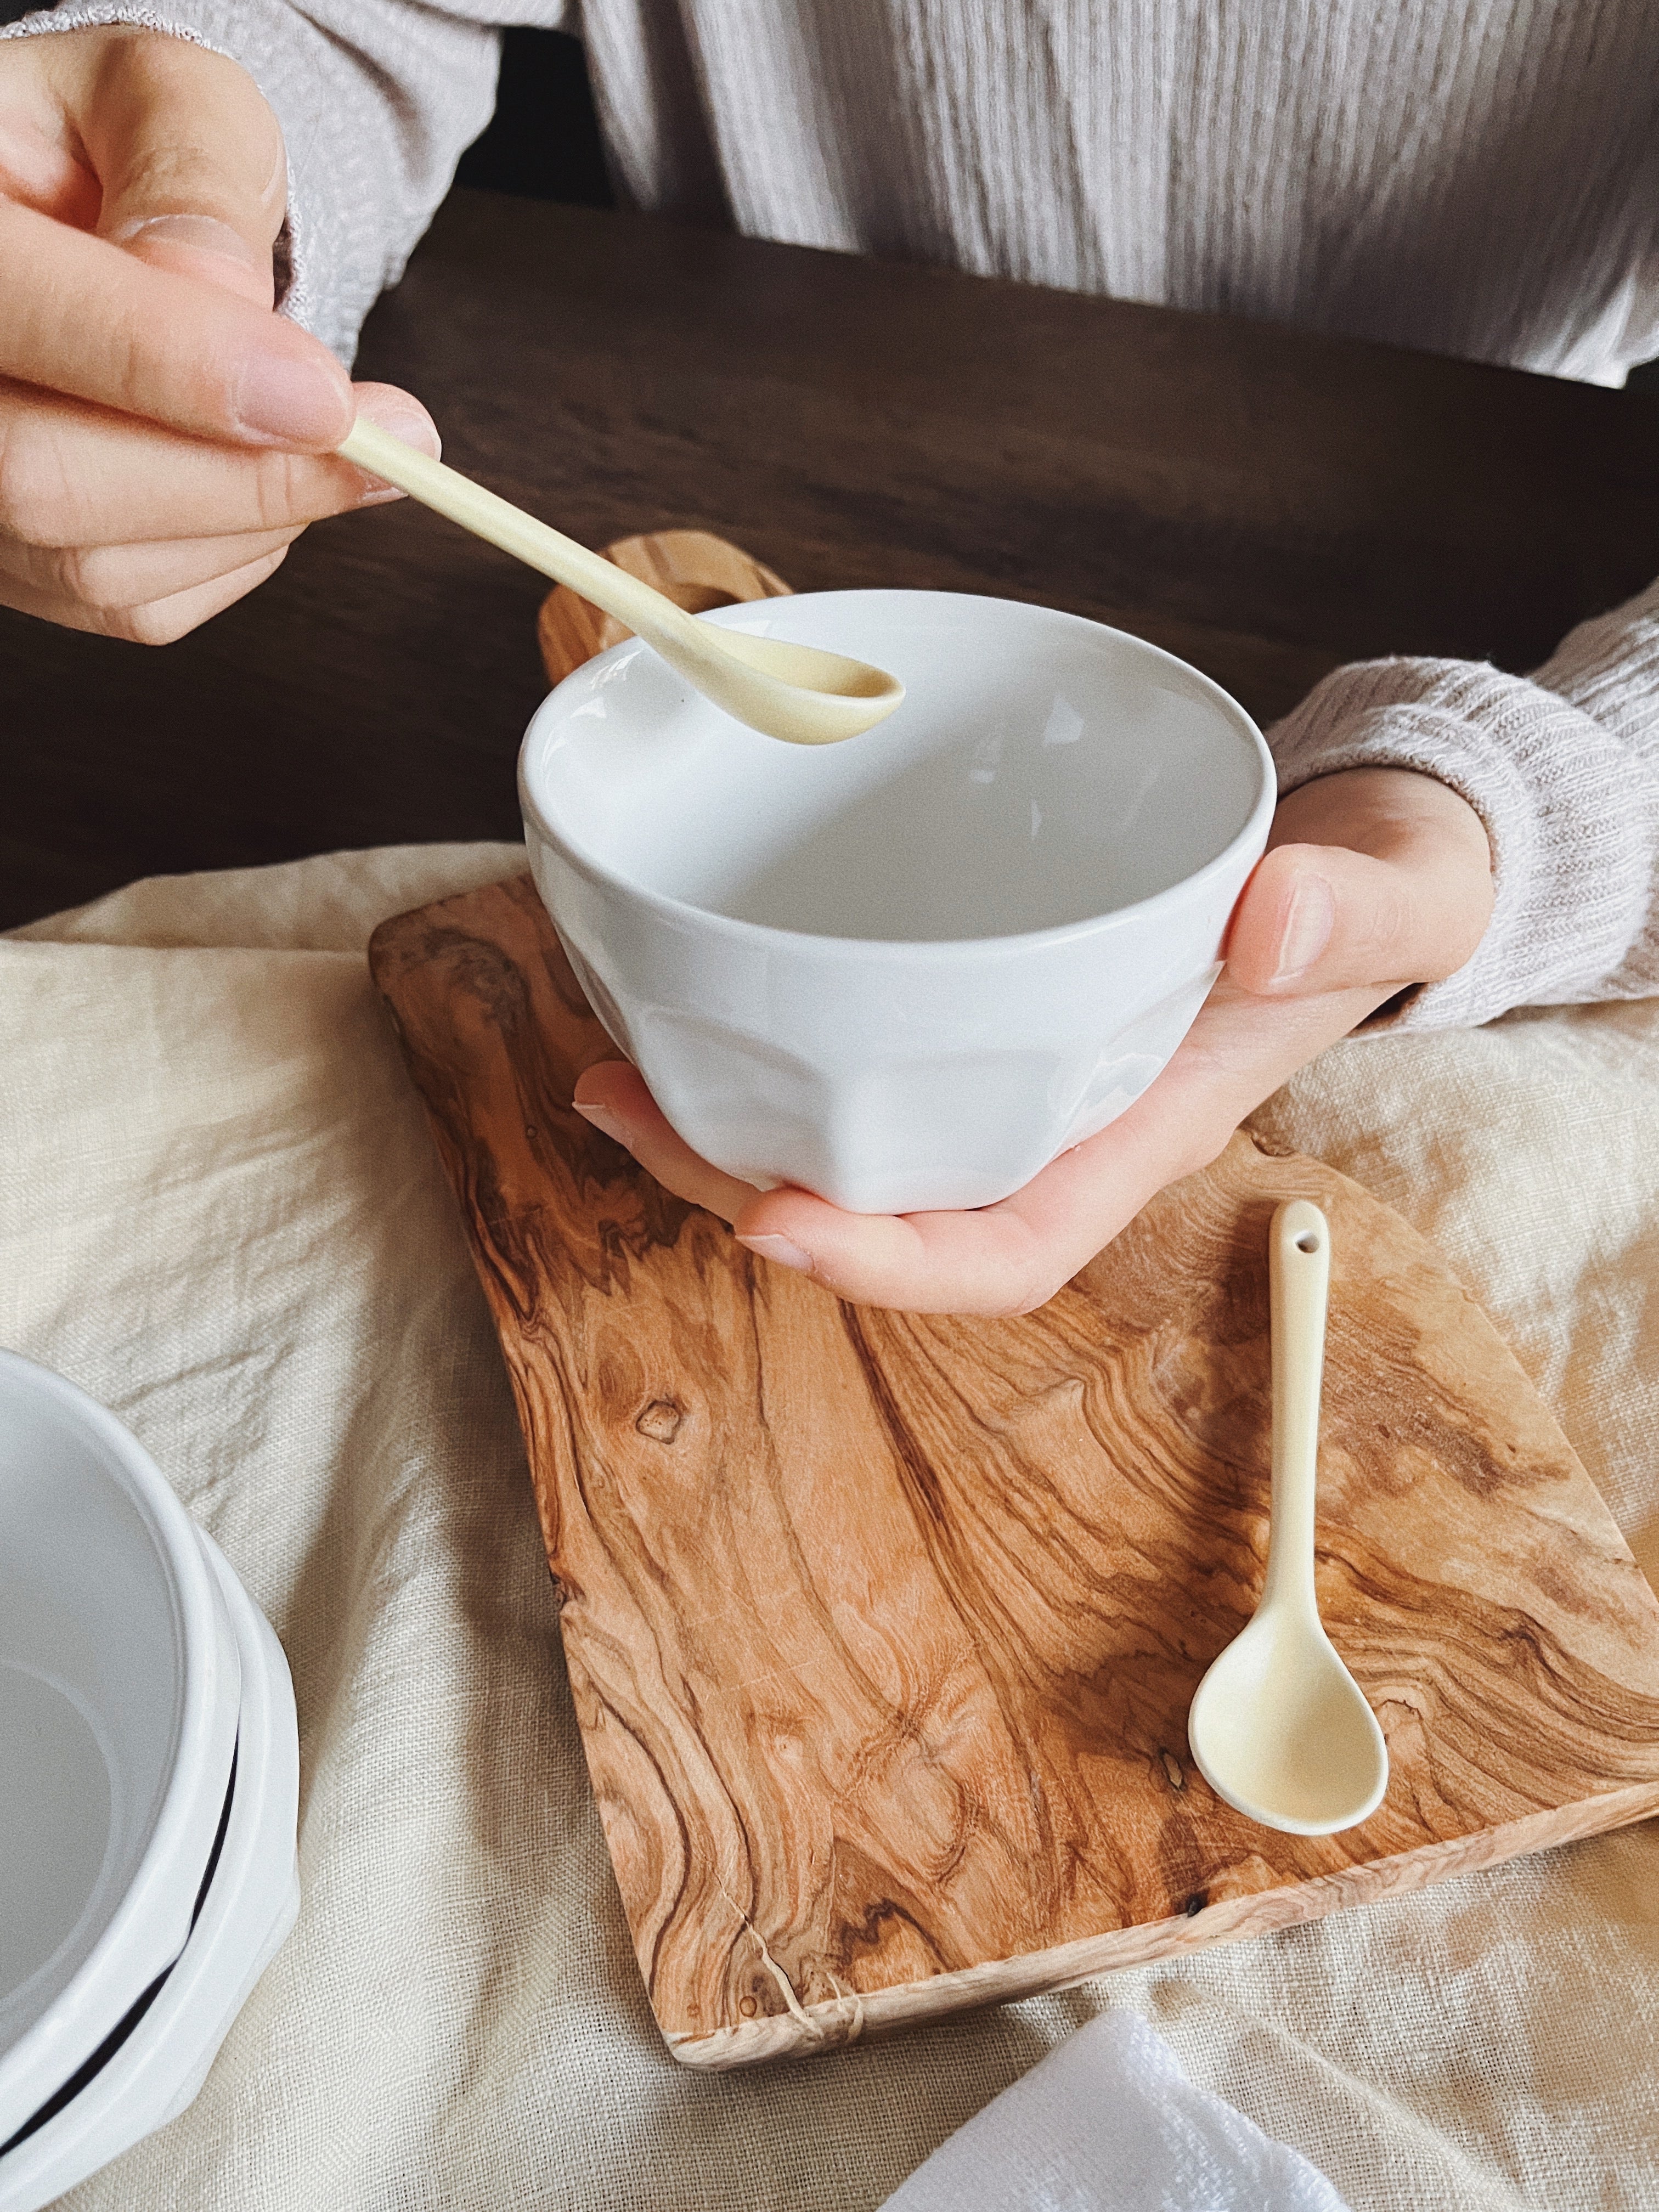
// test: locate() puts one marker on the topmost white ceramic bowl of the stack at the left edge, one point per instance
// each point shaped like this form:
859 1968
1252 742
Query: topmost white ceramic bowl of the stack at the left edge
121 1687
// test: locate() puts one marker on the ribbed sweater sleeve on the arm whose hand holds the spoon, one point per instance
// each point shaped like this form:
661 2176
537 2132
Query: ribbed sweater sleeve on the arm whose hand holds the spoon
377 103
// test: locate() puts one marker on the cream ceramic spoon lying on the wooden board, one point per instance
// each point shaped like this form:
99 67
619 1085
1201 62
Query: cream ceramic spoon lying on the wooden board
1280 1729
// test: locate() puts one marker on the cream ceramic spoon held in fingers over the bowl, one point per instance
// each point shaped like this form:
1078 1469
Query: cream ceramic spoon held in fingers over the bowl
786 691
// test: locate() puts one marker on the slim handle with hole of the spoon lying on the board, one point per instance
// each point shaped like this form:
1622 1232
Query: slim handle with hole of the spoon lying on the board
1300 1273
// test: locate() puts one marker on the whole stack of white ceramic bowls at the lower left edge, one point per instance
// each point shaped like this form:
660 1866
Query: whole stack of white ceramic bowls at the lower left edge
149 1791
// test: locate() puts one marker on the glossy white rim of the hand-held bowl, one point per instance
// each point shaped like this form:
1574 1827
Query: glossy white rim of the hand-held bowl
910 950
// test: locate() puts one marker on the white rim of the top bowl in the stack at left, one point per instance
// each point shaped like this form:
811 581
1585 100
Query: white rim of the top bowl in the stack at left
152 1921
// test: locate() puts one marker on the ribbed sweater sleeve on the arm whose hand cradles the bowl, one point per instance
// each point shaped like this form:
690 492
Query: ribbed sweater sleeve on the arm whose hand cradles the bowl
1563 769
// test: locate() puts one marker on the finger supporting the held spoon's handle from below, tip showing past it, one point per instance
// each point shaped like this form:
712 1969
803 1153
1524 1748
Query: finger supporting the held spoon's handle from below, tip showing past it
76 474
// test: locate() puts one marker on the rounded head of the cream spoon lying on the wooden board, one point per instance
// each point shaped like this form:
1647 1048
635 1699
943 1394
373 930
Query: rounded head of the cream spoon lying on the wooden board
1282 1731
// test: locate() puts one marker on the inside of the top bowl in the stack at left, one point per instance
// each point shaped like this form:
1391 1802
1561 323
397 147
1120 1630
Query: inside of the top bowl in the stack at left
92 1693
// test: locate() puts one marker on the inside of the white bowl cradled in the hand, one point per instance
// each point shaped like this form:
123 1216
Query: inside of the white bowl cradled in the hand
1043 771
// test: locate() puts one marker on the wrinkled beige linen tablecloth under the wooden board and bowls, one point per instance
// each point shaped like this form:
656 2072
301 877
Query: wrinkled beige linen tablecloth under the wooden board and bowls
222 1215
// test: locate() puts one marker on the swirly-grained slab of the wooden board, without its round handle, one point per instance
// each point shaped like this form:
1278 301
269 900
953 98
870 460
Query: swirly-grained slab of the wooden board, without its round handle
884 1629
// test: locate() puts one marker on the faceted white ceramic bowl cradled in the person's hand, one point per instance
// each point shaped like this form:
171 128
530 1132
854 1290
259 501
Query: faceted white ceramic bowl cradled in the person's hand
910 970
